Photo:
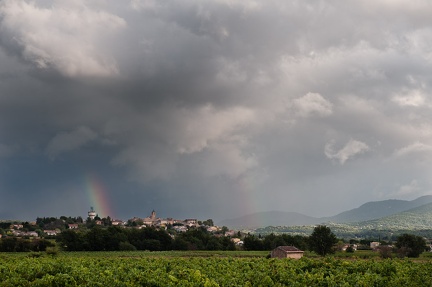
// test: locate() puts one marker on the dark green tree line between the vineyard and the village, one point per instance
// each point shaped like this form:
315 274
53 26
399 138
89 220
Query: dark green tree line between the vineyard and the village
113 238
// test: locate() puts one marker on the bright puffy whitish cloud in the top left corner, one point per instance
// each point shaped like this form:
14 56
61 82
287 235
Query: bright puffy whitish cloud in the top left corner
65 37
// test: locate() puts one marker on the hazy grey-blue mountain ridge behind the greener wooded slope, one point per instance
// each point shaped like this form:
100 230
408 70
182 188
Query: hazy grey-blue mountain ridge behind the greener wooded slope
367 212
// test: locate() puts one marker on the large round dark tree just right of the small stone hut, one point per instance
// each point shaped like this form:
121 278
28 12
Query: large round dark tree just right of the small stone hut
322 240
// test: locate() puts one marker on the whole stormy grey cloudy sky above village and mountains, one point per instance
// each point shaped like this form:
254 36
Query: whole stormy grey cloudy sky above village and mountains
212 109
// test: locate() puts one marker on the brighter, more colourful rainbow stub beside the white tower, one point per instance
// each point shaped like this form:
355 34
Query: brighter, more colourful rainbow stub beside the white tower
97 195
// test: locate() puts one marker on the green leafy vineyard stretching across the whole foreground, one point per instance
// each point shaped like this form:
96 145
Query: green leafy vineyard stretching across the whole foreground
84 269
